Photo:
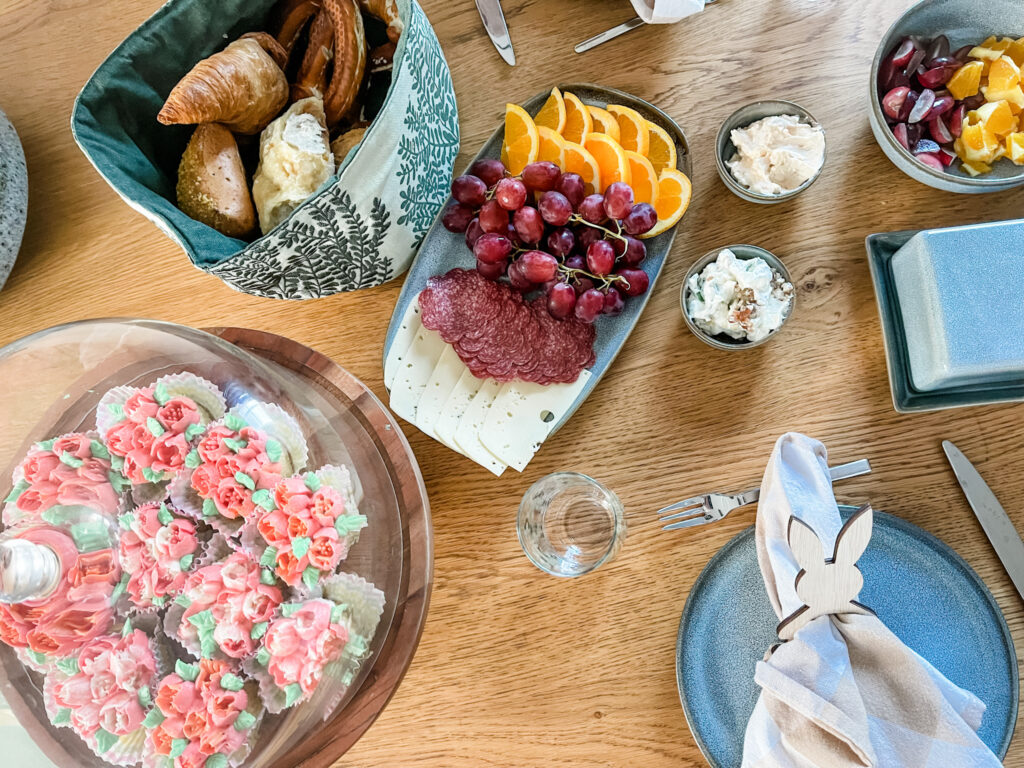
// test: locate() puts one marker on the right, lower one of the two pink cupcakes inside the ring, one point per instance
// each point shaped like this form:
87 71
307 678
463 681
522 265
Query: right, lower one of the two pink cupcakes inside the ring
225 609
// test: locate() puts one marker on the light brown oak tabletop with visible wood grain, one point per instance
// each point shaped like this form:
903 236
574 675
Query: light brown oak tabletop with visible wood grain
517 668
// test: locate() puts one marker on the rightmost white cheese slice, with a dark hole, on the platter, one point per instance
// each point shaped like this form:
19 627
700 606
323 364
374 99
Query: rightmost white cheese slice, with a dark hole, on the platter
524 415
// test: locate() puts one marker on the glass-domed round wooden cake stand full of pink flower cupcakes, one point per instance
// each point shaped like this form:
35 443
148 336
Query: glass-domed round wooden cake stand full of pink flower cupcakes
129 440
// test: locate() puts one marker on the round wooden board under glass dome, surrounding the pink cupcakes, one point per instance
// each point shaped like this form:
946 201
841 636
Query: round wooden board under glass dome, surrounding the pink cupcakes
58 377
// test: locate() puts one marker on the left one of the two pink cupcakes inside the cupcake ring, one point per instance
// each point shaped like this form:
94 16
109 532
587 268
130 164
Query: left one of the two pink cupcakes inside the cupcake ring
158 549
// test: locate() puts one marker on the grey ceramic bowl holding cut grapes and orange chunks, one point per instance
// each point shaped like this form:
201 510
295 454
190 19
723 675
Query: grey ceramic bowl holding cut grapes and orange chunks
964 23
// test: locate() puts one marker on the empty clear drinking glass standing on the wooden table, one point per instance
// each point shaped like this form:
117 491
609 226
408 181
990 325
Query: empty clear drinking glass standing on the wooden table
570 525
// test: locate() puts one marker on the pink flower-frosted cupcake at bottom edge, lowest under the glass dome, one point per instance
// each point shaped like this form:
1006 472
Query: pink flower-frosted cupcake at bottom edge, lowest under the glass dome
205 717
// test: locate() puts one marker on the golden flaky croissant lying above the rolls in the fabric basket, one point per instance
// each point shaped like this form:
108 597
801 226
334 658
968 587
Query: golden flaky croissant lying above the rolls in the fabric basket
241 88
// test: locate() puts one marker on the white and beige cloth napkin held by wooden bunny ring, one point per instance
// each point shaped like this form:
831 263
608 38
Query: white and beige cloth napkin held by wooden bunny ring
845 693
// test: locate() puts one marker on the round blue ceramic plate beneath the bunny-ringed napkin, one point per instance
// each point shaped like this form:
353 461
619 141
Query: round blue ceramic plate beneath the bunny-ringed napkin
924 591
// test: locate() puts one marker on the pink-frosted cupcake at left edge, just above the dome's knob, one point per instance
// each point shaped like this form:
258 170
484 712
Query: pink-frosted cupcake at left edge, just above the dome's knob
72 471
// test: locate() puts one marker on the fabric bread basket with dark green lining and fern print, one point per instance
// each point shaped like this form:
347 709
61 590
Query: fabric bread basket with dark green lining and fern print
360 230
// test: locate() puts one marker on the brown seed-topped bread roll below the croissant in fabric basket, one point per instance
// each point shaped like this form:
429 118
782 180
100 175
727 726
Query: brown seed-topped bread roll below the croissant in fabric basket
212 183
